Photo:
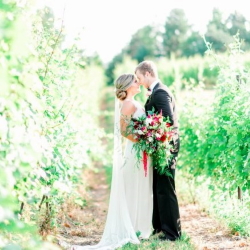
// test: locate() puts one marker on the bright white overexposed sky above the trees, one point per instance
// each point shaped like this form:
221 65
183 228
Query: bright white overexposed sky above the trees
107 25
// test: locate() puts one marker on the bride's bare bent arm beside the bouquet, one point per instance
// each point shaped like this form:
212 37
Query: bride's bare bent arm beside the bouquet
127 111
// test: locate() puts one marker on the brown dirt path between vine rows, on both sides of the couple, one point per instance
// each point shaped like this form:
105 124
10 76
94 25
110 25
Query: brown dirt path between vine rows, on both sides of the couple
206 233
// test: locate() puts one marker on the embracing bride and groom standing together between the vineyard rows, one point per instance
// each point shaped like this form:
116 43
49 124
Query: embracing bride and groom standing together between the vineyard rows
140 206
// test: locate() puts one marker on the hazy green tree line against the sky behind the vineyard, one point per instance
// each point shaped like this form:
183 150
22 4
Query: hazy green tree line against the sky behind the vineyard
180 39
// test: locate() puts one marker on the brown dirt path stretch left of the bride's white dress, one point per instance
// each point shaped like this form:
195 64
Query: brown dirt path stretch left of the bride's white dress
85 226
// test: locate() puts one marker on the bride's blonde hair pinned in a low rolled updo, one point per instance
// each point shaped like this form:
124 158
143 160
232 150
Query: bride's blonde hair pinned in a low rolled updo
122 83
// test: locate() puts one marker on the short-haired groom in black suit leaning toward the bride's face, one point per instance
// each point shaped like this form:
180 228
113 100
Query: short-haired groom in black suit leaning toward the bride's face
166 217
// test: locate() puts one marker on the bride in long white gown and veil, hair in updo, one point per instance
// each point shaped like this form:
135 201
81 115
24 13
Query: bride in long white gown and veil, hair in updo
129 217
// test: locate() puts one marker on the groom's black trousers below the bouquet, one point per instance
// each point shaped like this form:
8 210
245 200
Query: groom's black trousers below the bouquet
166 215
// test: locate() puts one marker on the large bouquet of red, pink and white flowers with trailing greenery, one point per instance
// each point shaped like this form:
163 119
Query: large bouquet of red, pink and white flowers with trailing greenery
154 134
